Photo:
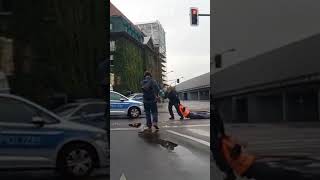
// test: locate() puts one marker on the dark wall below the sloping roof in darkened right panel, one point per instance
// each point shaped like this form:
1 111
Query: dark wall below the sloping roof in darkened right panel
276 106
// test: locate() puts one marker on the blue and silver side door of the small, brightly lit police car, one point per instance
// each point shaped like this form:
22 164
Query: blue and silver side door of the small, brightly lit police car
119 104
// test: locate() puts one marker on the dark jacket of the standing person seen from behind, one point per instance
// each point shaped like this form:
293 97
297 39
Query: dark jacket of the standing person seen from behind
150 90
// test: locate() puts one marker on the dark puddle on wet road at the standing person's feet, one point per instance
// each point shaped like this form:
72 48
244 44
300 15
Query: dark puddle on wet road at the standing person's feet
154 138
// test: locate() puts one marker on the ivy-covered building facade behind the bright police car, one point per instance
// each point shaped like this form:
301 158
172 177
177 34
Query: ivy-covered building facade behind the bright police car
131 53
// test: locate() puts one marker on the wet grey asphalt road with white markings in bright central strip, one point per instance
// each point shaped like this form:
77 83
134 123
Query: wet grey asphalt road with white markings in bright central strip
179 150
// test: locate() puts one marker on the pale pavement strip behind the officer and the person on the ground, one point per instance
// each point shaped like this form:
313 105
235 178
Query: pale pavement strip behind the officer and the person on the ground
192 105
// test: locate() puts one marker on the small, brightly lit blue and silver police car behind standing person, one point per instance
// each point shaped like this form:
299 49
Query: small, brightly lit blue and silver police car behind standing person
121 105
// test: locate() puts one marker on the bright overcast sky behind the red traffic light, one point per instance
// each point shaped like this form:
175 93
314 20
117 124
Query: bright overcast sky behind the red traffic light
188 48
